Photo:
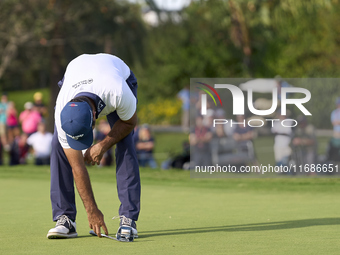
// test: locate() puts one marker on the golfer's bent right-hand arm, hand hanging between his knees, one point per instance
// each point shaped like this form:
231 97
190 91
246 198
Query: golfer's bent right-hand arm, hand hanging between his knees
119 130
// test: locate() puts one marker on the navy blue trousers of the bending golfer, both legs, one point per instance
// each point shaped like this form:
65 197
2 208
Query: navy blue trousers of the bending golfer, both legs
127 174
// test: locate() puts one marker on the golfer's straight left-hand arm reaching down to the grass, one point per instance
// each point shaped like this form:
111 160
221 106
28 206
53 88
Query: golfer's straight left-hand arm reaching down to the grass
82 180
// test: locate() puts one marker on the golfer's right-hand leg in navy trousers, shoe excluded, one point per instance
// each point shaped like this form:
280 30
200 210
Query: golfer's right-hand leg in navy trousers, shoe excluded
127 174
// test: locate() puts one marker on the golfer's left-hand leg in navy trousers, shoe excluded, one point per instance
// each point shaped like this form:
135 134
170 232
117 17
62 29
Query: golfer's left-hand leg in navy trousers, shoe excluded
62 188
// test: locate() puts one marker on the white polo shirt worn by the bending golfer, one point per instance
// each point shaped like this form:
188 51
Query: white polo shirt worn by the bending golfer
101 77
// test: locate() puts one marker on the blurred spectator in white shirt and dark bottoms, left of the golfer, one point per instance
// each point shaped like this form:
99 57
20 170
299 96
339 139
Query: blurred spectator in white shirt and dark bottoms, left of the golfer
41 142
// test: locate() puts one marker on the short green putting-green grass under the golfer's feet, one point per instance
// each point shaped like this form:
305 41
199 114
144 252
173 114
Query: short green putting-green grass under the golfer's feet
179 215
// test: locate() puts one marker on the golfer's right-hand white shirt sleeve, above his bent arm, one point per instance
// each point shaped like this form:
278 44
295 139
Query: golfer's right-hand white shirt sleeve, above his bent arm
126 104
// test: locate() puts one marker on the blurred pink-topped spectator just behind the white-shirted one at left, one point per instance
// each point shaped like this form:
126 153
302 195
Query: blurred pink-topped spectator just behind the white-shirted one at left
29 119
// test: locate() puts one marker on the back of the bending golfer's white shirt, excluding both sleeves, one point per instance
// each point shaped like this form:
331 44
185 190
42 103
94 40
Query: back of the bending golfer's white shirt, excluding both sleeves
100 74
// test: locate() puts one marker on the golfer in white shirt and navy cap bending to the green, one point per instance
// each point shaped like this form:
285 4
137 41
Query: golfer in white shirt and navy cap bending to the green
94 86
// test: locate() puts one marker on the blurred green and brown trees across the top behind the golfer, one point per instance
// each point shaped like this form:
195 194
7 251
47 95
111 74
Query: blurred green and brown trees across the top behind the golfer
209 38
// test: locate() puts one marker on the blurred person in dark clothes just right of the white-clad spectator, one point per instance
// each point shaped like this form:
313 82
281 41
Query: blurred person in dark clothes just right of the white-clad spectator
304 142
